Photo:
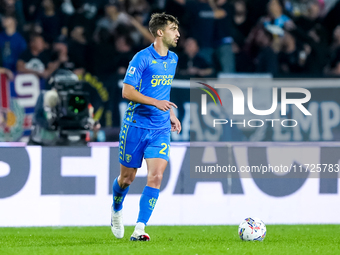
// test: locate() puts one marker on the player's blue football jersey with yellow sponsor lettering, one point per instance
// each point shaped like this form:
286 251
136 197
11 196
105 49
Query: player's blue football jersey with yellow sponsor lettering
151 75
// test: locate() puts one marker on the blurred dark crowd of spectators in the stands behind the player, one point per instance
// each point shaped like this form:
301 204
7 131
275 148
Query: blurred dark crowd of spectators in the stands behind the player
281 37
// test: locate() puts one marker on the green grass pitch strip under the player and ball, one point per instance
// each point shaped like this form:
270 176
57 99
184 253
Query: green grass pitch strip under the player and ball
280 239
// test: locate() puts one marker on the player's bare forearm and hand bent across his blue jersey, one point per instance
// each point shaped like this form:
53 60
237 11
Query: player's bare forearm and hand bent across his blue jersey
130 93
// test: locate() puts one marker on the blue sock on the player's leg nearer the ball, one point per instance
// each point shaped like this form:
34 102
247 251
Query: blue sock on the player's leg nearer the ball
147 203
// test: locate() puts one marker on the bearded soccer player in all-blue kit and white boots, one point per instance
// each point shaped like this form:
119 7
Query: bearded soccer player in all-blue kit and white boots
148 121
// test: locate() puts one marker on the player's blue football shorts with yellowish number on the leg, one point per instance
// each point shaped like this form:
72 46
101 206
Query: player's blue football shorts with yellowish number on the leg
136 143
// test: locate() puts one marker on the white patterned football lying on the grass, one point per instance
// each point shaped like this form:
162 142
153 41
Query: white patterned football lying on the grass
252 229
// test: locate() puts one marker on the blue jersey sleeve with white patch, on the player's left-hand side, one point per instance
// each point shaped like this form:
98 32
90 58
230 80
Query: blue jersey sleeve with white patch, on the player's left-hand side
135 70
